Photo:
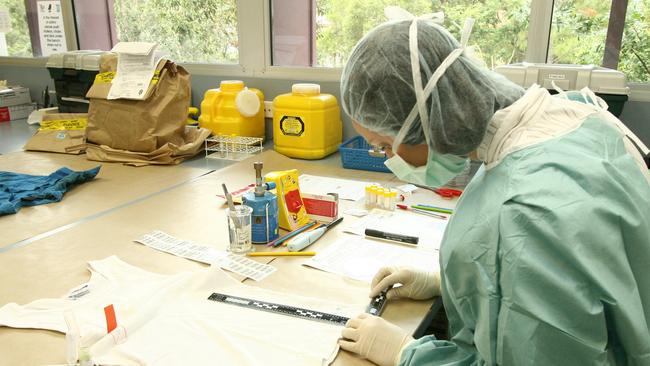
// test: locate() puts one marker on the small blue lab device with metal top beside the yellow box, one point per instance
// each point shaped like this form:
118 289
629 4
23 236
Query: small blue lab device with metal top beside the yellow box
265 208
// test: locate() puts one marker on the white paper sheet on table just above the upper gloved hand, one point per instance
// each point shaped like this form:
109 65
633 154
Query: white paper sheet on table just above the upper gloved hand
360 258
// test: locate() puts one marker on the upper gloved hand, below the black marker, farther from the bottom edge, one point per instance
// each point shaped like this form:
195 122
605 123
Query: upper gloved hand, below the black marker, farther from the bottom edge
416 284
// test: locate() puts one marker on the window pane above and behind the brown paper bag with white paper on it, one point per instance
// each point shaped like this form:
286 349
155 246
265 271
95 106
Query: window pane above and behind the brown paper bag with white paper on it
185 30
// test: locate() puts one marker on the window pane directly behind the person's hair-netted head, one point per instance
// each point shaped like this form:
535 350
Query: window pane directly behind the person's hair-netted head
337 25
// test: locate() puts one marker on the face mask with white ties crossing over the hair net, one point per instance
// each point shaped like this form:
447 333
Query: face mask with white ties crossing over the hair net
440 168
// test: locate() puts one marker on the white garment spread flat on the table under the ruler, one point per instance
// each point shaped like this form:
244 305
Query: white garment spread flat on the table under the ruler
179 326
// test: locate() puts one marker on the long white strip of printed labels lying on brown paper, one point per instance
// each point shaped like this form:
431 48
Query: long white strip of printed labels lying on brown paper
235 263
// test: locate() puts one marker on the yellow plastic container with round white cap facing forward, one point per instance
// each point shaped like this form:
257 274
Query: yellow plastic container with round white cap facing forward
233 109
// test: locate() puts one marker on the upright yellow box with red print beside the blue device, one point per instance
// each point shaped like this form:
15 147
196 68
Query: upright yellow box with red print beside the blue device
292 210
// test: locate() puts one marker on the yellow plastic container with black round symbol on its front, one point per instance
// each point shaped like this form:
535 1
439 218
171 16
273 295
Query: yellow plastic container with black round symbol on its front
306 123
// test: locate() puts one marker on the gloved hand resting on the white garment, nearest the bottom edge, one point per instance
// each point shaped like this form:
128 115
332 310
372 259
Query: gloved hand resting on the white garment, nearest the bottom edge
375 339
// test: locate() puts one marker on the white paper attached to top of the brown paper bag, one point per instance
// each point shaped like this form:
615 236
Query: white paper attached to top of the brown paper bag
135 69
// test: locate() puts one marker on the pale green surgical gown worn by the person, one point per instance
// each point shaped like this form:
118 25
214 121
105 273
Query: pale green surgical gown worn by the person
547 259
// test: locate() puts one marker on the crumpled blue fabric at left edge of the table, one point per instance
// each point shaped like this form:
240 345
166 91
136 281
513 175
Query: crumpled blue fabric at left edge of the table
18 190
